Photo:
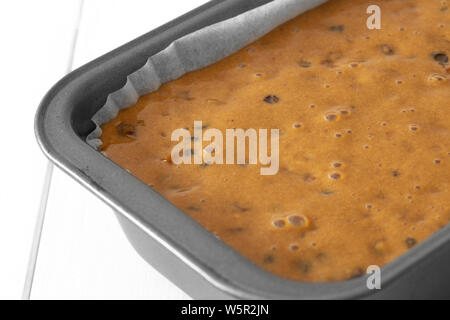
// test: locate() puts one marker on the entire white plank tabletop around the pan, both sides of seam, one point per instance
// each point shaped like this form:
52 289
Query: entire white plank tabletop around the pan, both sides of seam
83 253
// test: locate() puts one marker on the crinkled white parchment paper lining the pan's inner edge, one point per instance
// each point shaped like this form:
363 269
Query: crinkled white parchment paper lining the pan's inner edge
195 51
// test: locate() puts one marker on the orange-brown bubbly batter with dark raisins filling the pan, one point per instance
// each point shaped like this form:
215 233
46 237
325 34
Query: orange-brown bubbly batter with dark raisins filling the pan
364 119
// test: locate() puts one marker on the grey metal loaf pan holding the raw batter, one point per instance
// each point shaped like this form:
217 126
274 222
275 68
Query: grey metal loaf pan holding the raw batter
175 244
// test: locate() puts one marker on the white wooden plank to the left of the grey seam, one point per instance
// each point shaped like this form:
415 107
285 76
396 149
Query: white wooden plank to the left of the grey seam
35 46
